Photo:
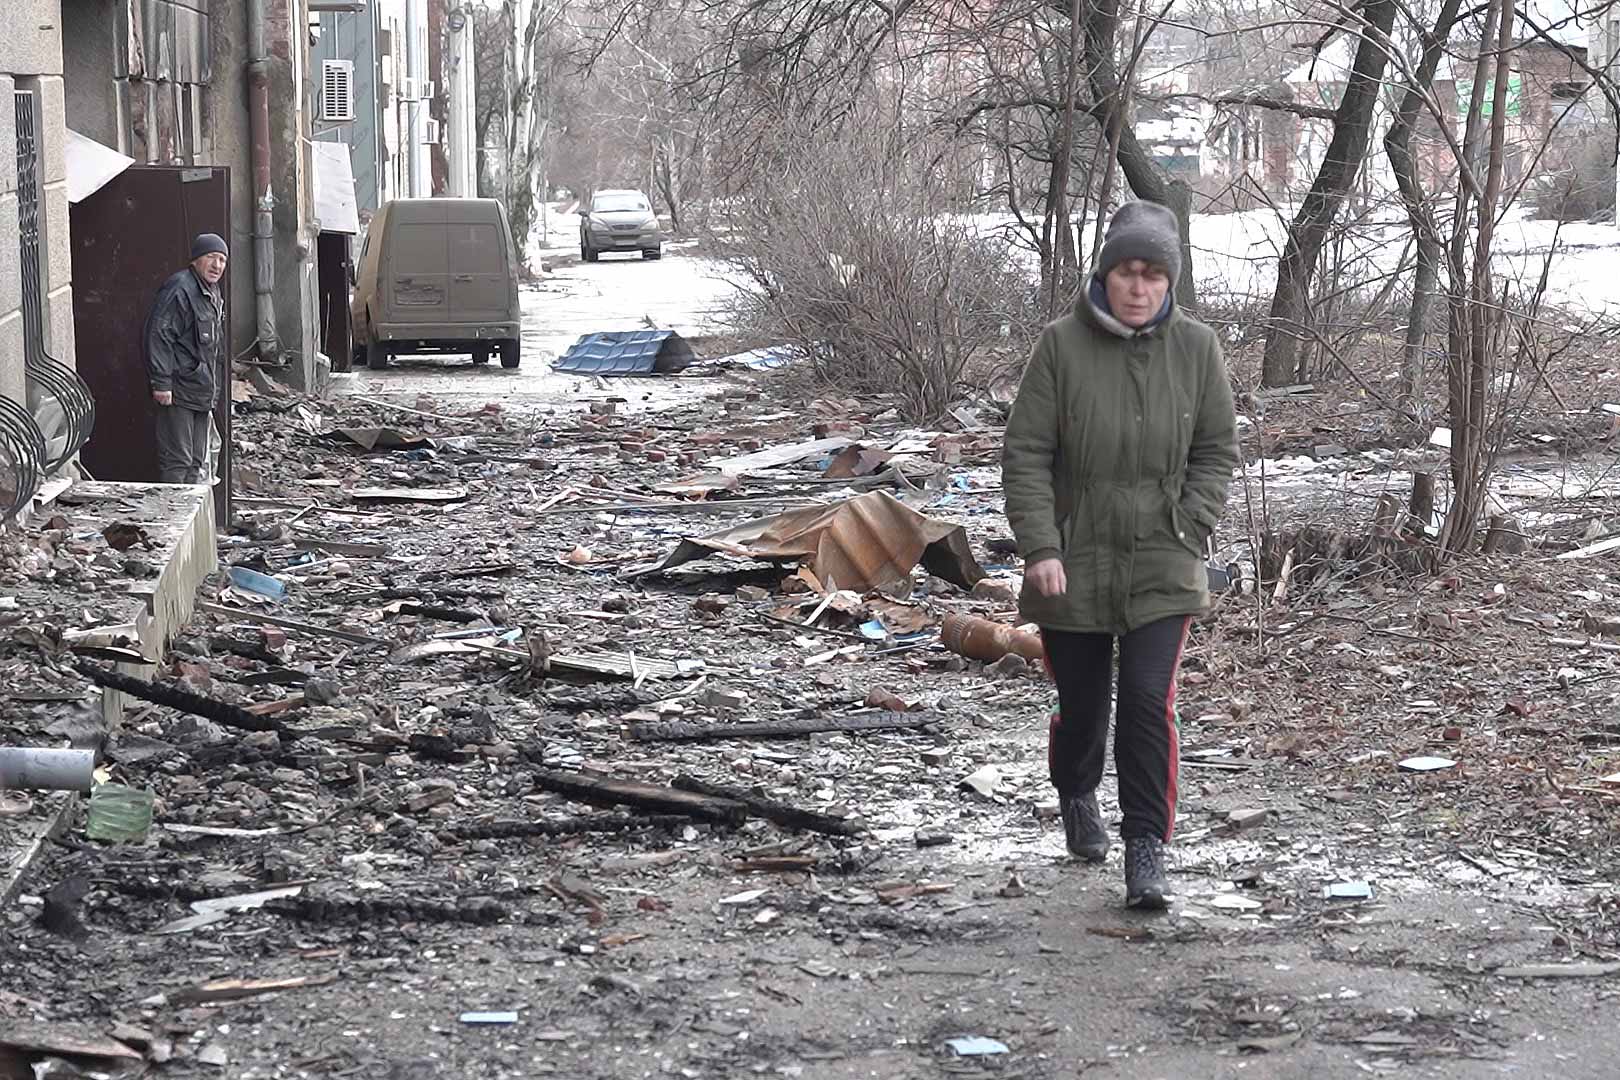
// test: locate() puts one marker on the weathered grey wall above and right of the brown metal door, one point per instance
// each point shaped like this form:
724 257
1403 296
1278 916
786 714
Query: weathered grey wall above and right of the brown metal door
171 83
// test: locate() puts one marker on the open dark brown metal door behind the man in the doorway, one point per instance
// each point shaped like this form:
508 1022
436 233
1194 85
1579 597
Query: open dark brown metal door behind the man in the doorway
127 240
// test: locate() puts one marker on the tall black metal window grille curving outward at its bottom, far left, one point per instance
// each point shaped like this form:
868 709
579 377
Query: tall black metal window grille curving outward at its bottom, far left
51 381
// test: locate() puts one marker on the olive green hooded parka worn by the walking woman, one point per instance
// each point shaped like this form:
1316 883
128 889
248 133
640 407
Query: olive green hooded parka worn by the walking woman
1119 456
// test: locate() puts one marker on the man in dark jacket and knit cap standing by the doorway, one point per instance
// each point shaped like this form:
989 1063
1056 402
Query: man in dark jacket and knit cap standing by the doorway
185 338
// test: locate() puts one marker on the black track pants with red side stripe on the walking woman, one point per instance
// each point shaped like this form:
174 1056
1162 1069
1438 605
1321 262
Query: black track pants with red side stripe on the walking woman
1146 746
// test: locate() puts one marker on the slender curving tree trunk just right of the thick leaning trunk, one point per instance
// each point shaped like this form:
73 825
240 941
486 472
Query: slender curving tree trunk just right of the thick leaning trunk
1397 145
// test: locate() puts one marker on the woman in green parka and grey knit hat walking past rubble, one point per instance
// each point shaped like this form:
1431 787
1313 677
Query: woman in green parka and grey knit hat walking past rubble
1119 456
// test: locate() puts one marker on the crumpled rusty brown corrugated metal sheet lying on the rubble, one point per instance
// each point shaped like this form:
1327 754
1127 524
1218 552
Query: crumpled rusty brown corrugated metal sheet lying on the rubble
856 545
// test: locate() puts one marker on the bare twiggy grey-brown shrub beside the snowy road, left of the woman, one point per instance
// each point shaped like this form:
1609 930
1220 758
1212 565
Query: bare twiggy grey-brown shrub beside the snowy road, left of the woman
846 252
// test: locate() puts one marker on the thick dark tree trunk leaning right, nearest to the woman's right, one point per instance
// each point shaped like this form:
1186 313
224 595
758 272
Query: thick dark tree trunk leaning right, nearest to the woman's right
1341 164
